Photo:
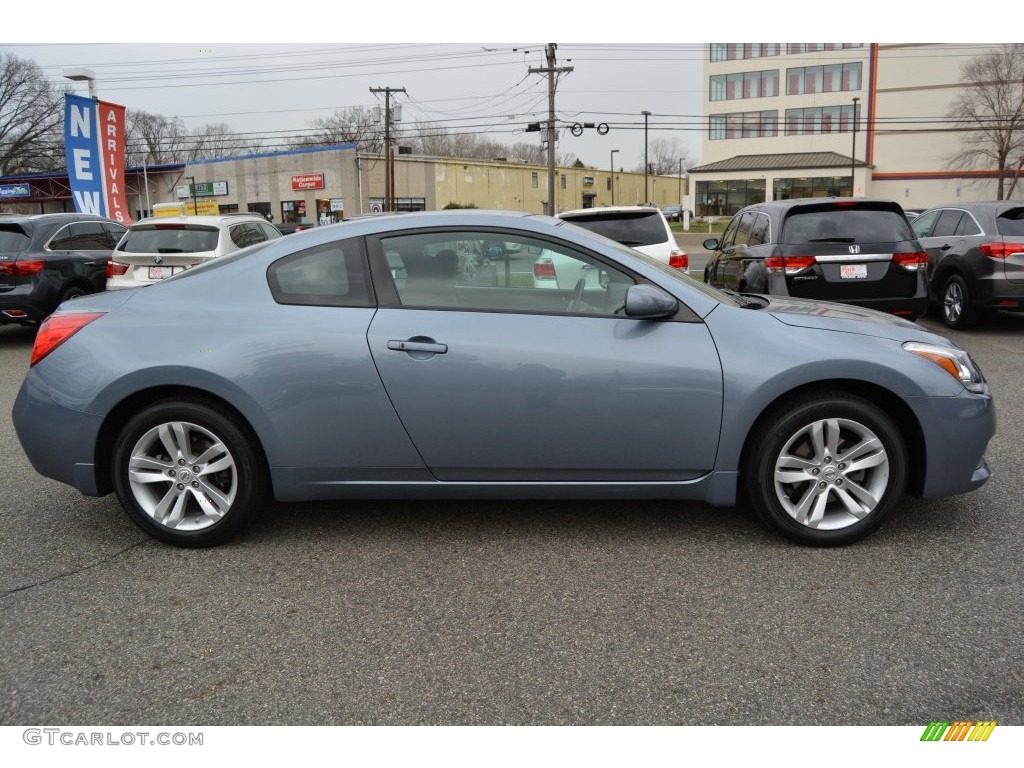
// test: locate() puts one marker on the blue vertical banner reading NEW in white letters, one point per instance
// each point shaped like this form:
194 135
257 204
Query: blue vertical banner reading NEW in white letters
82 150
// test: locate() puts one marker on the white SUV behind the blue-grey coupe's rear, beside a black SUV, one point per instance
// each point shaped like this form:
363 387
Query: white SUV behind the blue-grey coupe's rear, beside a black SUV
154 249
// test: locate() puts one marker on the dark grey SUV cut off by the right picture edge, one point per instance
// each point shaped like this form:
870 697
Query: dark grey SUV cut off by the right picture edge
975 260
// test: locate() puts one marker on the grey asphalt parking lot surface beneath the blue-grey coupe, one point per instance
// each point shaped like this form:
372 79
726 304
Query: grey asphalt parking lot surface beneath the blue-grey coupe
516 613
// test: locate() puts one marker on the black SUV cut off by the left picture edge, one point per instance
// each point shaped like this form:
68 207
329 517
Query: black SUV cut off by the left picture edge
52 258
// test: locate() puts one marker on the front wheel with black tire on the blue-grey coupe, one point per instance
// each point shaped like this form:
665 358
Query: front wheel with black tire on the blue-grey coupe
825 500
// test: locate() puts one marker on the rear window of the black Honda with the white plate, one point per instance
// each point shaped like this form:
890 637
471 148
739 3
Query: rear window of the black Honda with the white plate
846 226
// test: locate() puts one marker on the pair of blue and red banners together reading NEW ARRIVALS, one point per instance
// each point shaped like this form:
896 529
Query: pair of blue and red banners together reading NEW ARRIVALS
95 144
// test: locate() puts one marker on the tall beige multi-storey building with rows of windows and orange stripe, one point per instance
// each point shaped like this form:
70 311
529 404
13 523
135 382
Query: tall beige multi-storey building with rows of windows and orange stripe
782 124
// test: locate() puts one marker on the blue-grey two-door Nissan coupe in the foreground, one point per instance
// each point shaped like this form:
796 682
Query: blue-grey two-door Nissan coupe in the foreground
305 368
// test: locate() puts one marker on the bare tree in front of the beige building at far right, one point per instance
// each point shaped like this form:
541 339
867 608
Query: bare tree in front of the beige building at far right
991 111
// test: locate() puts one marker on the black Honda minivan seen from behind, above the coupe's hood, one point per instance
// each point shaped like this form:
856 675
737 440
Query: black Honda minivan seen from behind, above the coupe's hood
854 250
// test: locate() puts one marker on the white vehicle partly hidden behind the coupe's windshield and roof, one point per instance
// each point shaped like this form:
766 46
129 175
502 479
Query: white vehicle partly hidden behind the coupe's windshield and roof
643 228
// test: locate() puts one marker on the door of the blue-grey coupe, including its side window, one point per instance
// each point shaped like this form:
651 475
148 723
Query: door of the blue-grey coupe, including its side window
506 382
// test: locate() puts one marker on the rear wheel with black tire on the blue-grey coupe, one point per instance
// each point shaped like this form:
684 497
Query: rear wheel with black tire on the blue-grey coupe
189 474
